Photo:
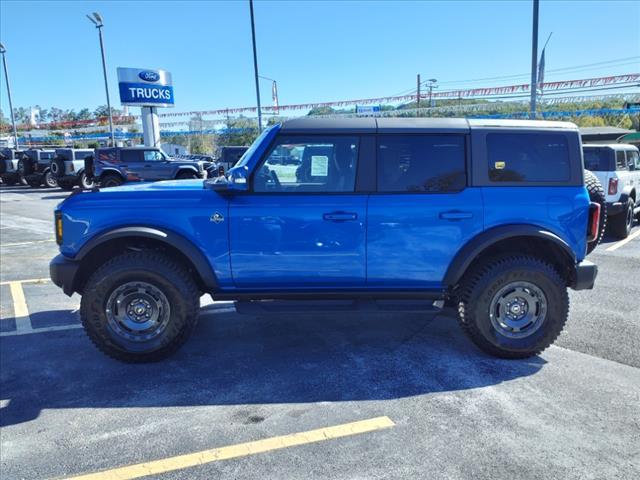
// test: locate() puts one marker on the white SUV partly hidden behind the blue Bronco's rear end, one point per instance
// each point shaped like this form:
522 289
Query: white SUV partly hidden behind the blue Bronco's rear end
617 166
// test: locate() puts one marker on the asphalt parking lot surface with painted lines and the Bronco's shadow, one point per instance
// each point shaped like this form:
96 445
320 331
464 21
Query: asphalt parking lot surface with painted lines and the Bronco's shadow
401 395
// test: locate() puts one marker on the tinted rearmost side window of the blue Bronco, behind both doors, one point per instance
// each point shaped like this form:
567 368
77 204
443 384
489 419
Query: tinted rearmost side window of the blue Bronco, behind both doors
528 157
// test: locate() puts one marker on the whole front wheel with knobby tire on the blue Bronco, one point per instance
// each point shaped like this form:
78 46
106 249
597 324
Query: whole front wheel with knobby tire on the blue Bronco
140 307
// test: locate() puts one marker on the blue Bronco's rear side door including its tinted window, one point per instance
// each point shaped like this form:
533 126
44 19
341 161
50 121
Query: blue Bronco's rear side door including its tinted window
422 213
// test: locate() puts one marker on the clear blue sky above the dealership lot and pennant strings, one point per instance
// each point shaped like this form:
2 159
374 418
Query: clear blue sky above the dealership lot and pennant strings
317 51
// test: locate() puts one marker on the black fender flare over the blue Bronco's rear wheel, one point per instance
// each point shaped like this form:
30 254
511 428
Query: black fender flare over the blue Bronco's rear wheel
467 254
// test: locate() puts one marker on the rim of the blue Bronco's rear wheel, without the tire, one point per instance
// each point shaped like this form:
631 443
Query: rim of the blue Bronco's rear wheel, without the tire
518 309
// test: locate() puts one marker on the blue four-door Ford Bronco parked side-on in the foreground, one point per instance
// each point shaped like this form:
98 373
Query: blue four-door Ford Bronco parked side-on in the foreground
490 217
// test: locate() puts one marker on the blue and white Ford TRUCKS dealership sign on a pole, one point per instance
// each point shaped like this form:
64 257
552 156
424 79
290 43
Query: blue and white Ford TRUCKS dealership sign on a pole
145 87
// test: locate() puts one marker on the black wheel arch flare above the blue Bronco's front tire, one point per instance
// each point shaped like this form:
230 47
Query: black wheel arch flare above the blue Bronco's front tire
139 237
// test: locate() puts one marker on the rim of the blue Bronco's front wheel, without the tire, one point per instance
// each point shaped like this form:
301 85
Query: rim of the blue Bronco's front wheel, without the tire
138 311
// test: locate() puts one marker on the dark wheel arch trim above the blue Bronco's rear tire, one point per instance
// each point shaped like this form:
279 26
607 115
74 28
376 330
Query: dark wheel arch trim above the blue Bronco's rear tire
513 239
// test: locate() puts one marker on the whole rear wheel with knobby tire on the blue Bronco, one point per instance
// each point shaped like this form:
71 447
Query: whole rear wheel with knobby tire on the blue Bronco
513 306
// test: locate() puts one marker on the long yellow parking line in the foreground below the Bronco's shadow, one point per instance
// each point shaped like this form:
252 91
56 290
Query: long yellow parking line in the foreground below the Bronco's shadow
239 450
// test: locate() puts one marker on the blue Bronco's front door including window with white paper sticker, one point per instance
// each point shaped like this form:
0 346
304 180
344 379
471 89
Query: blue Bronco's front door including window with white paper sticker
302 226
